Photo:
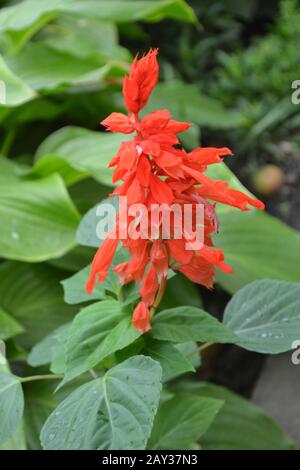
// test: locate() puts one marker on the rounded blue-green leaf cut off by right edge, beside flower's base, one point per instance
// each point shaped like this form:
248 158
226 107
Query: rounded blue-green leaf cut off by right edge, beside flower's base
265 315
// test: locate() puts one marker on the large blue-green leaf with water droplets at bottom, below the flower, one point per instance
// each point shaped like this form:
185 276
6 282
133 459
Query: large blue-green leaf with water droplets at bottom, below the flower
115 412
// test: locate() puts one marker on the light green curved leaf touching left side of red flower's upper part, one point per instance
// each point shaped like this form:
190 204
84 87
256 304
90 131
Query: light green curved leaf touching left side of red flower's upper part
86 151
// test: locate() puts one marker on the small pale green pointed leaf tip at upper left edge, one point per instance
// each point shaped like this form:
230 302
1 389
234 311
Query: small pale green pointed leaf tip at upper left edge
16 91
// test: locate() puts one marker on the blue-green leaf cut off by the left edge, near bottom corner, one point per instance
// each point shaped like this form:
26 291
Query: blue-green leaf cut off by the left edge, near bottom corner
11 405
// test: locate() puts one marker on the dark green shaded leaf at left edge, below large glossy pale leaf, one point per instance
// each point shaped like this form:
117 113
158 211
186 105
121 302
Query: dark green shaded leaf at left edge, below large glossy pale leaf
44 308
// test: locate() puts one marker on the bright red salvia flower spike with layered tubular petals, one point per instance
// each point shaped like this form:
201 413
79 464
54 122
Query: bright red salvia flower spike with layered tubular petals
153 170
